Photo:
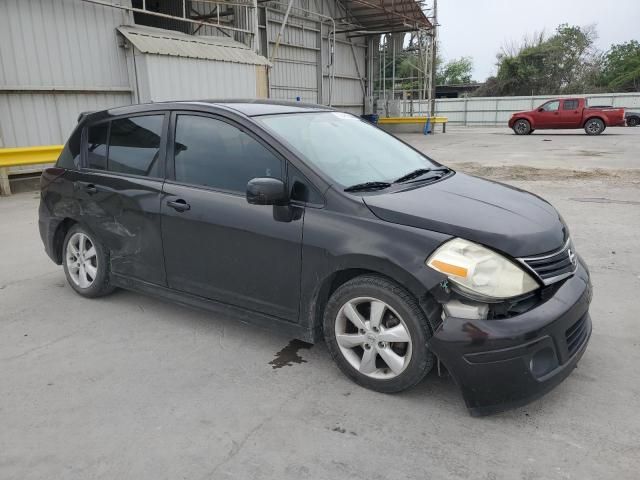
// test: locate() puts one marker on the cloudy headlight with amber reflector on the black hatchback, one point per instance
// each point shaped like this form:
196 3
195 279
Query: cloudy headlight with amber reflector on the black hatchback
480 271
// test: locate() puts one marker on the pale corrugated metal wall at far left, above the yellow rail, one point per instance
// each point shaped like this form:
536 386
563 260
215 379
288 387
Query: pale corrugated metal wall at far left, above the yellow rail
57 58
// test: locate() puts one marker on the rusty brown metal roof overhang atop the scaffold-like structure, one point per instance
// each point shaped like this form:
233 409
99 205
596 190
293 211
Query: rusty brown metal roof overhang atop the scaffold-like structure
385 16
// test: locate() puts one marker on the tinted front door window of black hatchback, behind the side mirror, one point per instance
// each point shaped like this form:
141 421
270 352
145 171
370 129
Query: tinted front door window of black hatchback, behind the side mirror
213 153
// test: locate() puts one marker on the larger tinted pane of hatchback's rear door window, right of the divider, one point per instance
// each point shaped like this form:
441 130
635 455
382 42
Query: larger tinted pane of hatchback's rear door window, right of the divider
134 145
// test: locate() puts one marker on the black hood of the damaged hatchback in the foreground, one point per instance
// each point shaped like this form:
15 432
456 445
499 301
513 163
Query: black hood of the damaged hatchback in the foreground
499 216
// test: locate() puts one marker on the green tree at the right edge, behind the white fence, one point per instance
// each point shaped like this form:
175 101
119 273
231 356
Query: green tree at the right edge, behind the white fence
621 67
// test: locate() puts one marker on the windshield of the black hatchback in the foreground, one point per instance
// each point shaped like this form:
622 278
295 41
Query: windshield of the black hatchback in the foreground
346 149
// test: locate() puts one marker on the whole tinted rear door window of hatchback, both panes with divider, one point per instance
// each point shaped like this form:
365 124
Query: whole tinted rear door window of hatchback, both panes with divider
126 145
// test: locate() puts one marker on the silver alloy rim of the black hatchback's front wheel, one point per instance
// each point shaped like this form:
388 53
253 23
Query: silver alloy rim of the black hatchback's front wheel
373 338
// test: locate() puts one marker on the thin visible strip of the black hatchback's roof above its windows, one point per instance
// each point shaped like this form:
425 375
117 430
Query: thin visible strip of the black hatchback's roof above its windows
248 107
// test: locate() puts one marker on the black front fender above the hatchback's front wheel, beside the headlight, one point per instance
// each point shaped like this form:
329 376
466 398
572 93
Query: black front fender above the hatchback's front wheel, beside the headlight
334 243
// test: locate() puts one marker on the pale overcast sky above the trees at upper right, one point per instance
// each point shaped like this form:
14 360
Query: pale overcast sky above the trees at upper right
478 28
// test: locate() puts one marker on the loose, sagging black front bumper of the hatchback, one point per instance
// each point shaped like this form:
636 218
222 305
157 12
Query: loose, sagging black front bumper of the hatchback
502 364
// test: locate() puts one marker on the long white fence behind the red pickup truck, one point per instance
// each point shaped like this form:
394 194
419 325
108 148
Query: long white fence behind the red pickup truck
491 111
